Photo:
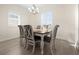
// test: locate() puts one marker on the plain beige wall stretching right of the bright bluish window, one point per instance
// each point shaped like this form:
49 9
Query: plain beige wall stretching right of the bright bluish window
66 20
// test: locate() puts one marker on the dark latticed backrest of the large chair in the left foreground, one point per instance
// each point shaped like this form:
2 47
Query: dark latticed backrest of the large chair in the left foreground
29 33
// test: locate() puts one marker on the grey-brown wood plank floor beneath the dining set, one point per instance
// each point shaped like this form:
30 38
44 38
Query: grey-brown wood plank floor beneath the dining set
14 47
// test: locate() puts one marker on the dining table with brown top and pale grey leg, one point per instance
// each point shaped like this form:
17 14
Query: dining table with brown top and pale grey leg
42 33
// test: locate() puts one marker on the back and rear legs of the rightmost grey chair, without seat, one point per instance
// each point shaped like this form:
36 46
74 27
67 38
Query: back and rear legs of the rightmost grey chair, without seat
53 38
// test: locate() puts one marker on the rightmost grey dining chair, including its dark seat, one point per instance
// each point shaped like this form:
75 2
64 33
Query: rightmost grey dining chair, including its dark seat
51 39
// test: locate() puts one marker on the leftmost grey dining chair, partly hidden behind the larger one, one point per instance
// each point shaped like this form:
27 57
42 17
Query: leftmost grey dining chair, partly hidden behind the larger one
22 35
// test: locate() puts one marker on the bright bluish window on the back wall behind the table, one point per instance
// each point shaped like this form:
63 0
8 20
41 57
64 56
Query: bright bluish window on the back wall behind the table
46 18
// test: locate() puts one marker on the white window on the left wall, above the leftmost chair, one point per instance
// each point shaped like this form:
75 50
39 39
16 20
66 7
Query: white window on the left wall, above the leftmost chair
13 19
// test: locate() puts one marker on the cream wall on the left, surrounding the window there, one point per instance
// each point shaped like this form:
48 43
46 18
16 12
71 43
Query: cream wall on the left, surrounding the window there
9 32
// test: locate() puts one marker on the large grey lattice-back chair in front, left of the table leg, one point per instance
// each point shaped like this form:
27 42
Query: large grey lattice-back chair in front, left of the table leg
29 35
